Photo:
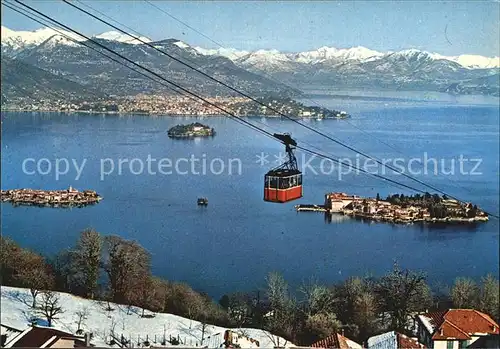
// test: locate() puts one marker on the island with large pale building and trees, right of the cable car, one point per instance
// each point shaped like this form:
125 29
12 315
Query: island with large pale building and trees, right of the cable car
399 208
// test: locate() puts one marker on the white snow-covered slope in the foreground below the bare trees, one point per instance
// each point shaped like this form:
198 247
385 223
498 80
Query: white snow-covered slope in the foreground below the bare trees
102 323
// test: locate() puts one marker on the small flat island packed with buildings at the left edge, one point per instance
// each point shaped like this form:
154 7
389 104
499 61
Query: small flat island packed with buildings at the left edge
70 197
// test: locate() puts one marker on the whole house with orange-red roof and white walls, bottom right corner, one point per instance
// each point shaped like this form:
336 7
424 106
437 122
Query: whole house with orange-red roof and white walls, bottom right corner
455 328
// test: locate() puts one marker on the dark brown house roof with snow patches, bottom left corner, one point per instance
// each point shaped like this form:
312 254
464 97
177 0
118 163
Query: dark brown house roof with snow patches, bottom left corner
46 337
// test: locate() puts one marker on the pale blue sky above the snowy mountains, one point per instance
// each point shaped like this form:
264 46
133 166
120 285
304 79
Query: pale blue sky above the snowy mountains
449 28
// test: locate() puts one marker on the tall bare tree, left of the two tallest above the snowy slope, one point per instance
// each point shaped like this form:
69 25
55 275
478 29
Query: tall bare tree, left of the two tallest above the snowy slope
87 259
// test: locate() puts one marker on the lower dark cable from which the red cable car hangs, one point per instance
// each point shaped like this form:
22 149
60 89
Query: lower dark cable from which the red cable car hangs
246 123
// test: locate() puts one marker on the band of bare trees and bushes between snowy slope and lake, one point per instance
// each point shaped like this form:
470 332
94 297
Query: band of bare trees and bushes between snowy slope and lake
113 269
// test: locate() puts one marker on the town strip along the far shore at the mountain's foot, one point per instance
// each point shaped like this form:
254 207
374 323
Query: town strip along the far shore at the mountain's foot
177 106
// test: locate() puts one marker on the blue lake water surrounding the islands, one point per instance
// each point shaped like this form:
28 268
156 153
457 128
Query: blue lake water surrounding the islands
234 242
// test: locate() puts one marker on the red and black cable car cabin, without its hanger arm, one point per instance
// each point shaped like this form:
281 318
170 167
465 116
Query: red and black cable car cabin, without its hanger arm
282 185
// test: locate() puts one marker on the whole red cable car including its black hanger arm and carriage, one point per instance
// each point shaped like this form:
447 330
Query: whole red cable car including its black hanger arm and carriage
284 183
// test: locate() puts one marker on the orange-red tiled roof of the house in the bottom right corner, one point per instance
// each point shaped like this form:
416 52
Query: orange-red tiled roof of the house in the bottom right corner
460 323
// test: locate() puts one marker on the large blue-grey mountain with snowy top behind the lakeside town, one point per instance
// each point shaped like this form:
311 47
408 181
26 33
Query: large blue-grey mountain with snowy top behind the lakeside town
58 55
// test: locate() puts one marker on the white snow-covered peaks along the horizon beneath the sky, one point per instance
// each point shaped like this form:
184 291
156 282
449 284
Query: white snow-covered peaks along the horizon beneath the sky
17 40
